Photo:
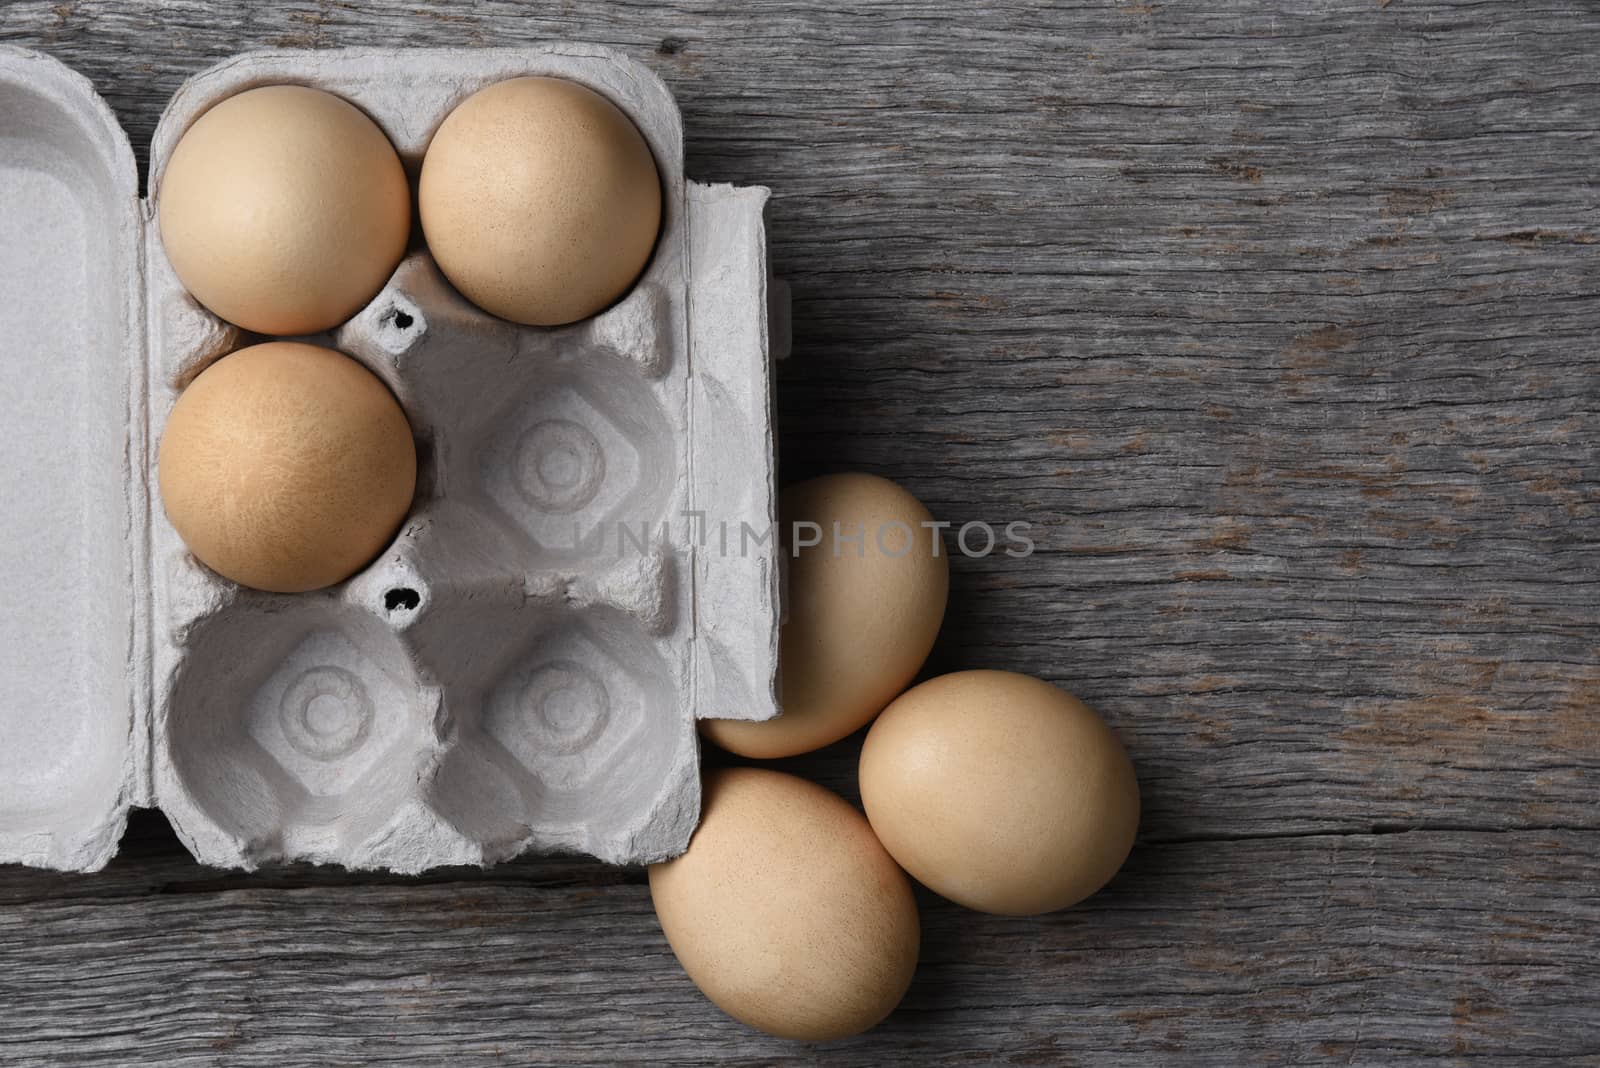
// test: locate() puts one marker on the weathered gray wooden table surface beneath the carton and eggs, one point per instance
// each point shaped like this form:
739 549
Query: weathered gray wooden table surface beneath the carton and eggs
1278 319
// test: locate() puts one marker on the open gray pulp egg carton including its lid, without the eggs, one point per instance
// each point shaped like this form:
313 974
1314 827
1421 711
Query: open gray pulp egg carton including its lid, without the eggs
522 667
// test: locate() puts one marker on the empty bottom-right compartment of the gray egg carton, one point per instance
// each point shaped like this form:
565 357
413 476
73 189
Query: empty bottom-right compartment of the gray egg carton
566 735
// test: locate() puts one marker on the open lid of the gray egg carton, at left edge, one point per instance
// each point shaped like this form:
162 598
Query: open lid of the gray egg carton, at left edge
74 509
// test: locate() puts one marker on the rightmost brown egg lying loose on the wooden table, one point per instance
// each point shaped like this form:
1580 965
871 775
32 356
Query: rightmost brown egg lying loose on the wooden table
1001 792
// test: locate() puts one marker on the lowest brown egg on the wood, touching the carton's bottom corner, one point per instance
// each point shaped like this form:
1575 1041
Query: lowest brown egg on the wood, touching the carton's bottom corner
786 912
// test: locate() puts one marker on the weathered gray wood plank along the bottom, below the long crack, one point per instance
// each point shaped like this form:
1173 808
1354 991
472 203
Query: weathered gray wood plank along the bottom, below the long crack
1346 949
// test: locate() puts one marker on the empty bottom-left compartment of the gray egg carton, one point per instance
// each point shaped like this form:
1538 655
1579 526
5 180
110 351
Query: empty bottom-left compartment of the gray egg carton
297 728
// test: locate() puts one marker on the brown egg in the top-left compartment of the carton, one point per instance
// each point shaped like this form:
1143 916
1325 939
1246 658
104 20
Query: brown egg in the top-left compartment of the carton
284 210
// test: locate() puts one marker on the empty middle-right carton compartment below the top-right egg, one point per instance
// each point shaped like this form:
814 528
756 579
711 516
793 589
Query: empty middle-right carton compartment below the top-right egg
559 437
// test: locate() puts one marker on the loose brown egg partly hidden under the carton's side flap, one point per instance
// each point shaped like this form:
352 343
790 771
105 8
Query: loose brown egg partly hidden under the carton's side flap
862 618
